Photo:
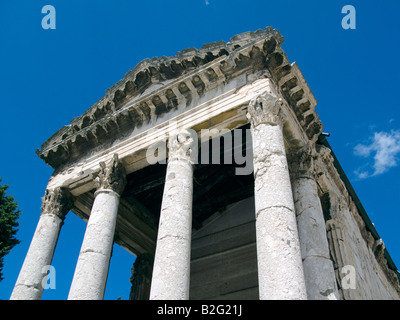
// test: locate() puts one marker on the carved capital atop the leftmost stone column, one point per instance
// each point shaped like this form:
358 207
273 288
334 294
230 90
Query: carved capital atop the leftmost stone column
57 201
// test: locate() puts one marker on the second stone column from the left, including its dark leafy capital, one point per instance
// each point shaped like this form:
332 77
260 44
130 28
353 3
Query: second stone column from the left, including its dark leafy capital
91 271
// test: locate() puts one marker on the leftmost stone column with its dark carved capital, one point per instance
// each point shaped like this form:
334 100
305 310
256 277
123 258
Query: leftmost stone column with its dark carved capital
29 285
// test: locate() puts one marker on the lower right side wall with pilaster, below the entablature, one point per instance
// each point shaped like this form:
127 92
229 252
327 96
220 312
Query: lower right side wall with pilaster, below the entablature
359 271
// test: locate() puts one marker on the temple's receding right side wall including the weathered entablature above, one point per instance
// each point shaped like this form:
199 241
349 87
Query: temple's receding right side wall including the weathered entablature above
360 261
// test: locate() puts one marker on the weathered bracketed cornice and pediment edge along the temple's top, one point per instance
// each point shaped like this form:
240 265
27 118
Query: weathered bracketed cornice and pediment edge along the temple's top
159 85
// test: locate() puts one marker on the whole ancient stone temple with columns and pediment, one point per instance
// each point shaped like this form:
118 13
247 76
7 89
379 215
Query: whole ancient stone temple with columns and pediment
210 167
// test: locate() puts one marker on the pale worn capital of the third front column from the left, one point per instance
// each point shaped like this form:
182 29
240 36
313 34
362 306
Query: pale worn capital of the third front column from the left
181 146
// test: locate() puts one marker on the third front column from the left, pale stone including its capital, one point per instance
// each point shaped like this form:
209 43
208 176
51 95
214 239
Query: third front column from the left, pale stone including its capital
171 270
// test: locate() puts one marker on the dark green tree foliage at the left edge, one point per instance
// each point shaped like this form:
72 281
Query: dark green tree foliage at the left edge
9 214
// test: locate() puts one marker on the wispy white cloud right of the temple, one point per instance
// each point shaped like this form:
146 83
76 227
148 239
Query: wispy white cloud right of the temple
384 146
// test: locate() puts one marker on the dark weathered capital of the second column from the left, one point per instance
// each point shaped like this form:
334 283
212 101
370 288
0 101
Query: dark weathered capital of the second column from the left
112 176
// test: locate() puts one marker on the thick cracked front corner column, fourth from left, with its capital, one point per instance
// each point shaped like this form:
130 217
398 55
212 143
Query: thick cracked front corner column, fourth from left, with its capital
280 269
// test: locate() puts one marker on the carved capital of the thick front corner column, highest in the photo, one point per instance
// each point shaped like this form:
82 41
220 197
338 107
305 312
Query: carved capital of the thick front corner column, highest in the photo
265 108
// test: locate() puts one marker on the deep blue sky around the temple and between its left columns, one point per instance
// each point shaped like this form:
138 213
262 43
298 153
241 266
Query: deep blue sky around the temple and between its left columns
48 77
